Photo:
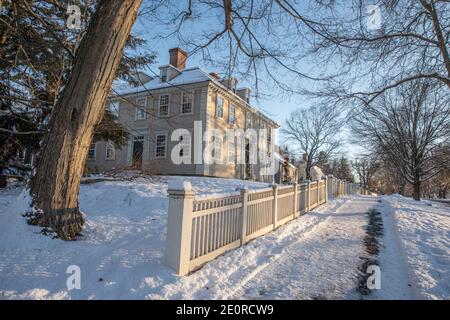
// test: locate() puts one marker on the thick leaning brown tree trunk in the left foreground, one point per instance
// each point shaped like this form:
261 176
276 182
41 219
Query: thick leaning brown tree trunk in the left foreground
79 108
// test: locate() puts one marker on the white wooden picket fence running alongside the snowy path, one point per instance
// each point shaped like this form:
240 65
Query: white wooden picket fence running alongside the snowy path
201 228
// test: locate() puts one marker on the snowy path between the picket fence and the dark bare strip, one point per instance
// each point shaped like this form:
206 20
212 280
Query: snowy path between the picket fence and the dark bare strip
321 264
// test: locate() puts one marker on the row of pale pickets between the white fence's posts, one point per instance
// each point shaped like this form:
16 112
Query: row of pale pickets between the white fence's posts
217 222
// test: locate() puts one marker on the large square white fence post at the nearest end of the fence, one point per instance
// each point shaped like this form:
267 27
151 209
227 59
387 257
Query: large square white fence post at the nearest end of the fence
179 226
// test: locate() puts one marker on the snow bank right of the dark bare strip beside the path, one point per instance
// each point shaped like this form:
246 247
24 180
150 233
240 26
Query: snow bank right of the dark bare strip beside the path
424 232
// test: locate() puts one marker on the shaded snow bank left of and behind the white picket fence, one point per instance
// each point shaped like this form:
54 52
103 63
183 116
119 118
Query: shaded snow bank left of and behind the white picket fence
121 252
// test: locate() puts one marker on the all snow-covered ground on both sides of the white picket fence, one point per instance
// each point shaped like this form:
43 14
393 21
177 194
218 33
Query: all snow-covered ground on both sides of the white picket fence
121 253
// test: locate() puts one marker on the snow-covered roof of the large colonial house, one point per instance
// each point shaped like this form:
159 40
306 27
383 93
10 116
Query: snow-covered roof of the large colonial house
187 76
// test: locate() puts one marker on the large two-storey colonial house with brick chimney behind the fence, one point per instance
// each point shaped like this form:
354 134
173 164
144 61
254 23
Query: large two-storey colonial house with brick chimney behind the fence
179 97
